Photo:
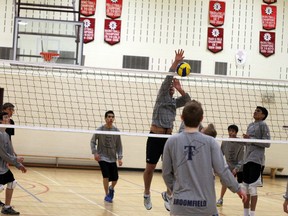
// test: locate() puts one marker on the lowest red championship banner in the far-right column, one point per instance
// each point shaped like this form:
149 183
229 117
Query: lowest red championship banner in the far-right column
267 43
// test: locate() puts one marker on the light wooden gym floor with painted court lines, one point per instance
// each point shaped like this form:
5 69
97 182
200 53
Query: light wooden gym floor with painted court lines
79 192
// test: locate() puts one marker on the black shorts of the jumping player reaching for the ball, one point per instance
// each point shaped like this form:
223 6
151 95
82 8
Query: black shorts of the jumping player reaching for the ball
154 149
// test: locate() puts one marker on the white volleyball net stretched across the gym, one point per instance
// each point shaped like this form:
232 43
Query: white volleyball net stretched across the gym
62 97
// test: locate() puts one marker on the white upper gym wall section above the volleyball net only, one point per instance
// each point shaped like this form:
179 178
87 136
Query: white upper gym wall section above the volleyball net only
156 28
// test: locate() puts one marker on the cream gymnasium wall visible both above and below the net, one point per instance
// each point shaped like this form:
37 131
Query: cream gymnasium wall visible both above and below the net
155 29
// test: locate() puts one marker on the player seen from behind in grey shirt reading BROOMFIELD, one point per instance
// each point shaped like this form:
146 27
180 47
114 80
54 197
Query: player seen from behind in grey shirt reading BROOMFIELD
188 160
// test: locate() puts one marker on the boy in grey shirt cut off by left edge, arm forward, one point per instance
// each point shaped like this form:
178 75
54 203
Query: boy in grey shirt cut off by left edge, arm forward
6 176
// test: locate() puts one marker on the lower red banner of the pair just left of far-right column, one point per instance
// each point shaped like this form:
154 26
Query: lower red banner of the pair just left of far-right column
215 39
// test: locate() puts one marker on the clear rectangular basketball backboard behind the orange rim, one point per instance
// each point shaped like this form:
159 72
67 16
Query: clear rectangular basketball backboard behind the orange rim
35 36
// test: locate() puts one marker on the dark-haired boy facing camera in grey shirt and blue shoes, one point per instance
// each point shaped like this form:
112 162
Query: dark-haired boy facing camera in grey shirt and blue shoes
107 149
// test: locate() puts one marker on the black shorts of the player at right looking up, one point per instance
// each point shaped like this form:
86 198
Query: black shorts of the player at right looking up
251 172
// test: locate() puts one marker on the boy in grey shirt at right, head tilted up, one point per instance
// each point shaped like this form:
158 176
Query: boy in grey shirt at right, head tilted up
254 158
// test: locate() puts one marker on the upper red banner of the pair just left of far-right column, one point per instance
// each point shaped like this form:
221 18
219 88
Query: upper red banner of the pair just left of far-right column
216 13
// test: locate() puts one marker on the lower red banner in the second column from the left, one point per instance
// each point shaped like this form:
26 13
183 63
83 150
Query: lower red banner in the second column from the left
112 31
